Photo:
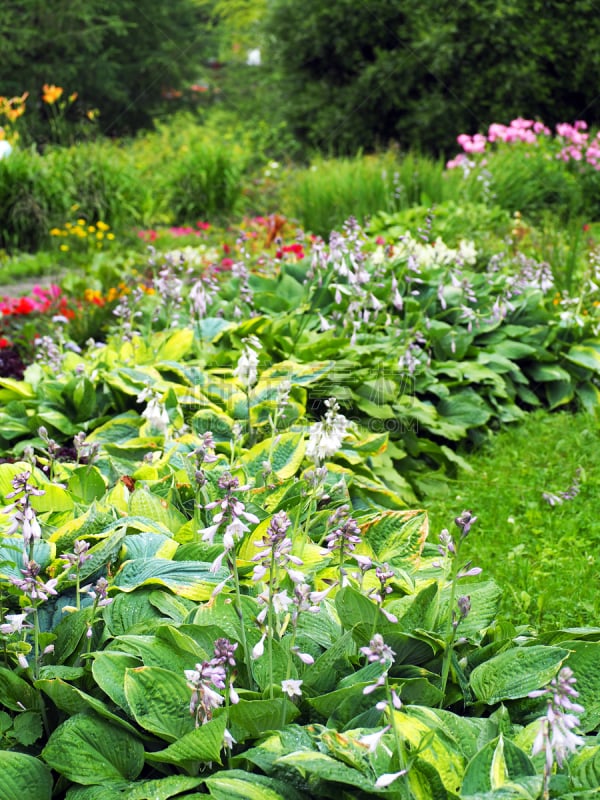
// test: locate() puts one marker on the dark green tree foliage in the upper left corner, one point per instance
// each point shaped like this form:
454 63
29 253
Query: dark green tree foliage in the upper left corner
120 56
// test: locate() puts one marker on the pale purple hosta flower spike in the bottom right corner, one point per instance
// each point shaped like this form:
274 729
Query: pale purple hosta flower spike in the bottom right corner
556 737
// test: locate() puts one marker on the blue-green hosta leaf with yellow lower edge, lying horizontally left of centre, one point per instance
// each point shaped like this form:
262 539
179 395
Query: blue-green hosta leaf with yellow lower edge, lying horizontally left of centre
190 579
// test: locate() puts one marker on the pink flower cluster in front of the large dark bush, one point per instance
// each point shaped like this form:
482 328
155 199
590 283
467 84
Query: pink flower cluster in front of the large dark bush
575 143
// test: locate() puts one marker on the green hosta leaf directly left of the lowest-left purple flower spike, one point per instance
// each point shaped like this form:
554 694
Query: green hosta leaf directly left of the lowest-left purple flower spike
159 700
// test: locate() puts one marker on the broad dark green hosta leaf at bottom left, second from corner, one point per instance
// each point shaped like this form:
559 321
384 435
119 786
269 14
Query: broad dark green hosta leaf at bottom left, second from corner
89 750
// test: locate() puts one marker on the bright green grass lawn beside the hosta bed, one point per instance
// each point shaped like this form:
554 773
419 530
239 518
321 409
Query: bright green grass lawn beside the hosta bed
546 558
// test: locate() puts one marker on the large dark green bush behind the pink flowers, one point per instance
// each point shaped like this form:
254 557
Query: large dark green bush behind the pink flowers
360 75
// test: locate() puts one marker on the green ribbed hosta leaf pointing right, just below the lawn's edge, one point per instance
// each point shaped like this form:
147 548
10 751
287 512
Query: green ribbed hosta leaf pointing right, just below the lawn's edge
516 672
